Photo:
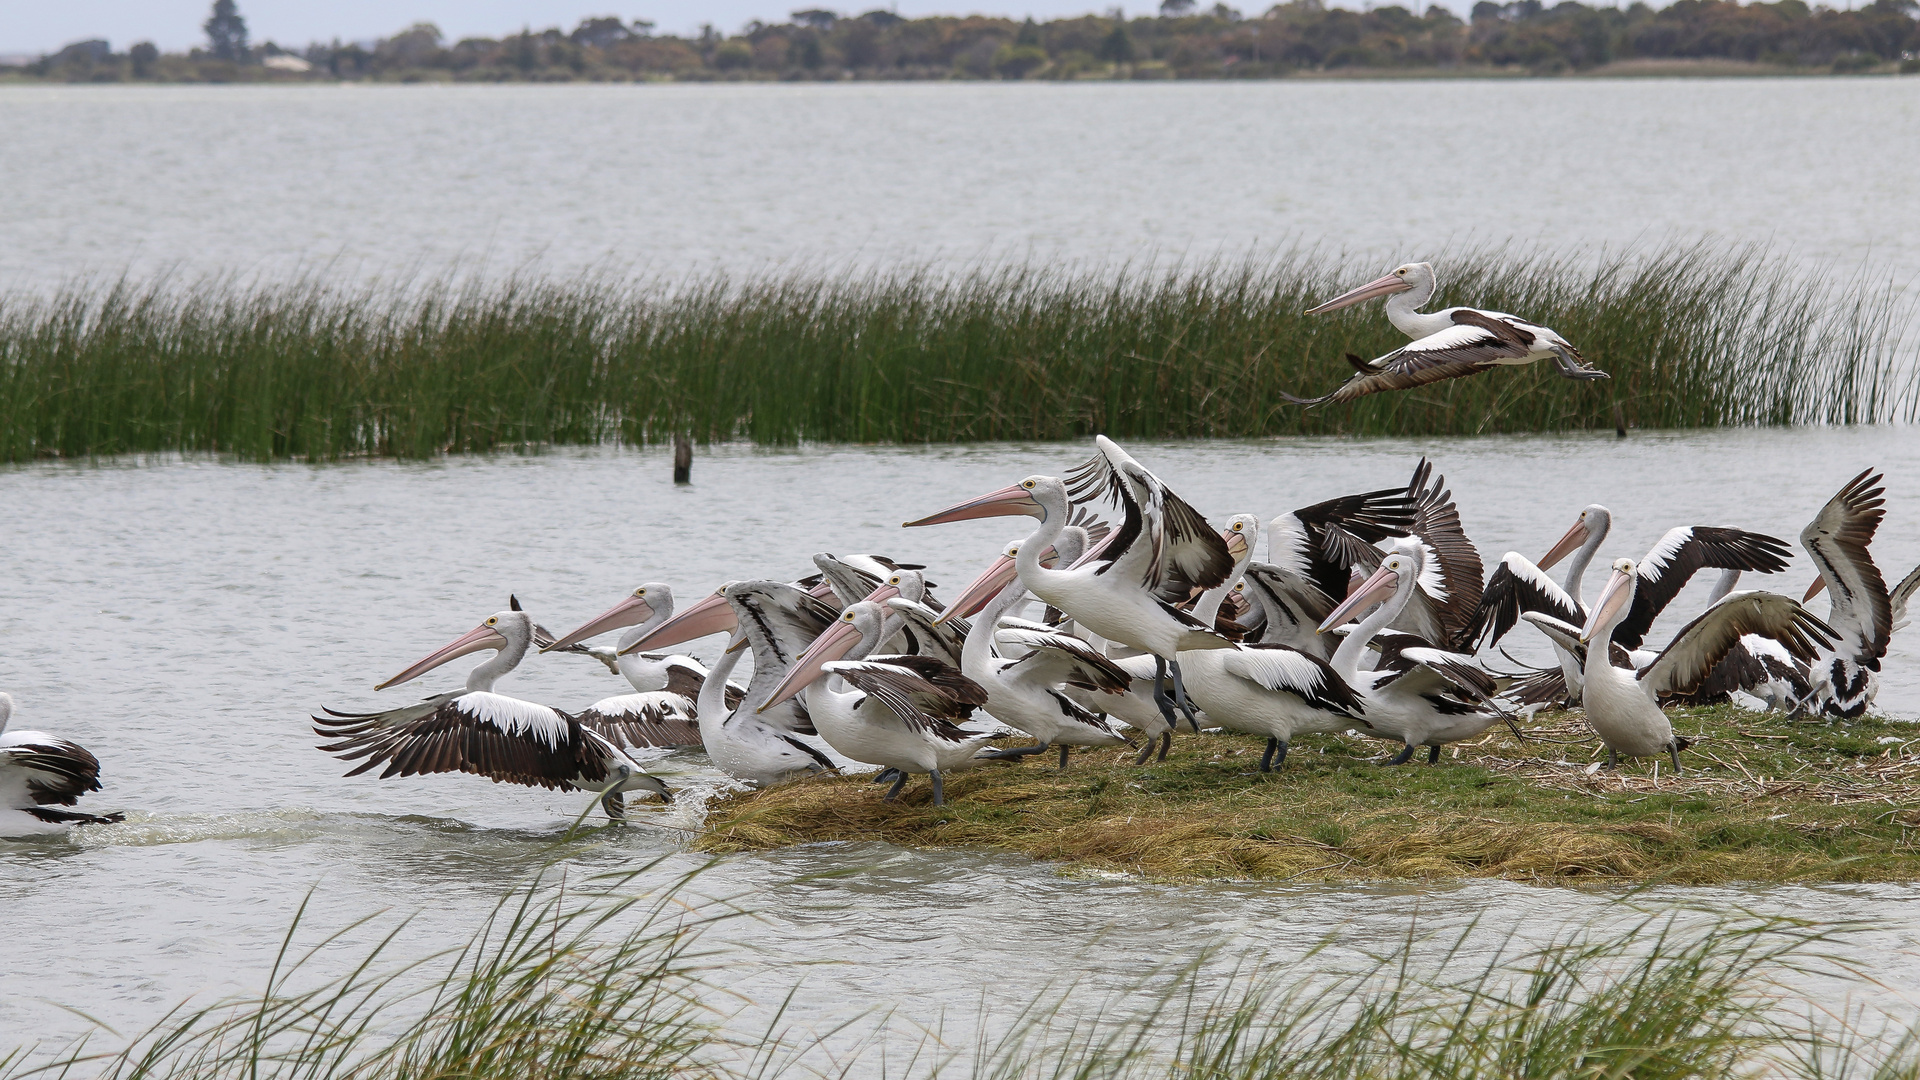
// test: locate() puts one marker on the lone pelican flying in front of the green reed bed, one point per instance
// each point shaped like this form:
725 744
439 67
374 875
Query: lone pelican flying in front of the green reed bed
1447 345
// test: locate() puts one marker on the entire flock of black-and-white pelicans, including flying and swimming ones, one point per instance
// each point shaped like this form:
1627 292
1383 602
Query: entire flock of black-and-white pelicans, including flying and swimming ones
1372 614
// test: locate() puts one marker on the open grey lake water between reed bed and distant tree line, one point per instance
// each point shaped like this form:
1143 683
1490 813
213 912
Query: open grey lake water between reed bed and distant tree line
660 182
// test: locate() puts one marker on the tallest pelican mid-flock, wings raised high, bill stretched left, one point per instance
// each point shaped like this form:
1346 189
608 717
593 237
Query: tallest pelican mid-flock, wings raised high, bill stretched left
1120 589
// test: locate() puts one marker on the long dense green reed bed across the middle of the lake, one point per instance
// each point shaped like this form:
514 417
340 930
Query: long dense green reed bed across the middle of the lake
1694 337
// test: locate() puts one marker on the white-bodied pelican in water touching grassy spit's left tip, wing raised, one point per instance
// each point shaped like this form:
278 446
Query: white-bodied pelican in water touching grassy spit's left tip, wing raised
777 622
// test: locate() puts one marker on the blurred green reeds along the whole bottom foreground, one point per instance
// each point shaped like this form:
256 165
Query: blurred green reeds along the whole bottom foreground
617 989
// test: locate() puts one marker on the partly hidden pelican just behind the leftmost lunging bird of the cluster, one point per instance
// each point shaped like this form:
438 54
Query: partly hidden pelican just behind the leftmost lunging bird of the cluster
661 712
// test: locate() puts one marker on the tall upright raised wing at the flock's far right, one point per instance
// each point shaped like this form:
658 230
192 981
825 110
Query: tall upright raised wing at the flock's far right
1836 541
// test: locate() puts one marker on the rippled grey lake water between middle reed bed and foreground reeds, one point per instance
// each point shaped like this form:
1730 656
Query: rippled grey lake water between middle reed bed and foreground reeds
183 618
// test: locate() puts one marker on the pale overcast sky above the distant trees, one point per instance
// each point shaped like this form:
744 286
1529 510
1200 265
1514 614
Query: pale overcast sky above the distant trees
43 26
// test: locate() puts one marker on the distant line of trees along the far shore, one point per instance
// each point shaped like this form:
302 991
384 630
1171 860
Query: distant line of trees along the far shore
1180 43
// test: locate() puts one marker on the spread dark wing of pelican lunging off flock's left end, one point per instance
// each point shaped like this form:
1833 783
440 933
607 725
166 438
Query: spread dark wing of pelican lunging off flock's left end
487 735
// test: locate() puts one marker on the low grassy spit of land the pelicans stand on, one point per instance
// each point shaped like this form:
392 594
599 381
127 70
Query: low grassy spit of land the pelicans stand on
1764 800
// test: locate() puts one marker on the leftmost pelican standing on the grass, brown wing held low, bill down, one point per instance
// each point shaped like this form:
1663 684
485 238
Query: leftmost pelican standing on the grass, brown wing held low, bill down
901 710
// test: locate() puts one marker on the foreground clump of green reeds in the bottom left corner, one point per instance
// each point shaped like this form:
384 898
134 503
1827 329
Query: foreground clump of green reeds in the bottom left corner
542 989
